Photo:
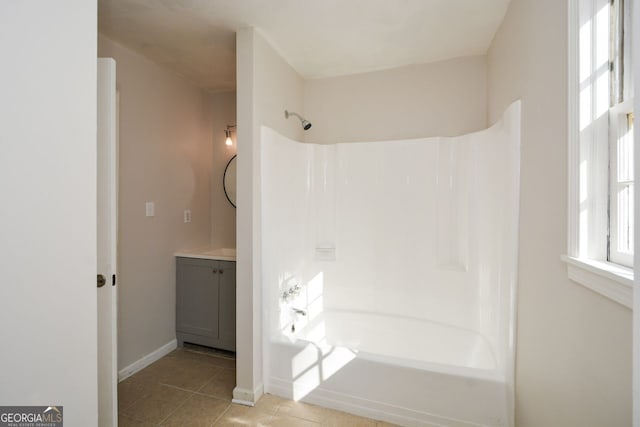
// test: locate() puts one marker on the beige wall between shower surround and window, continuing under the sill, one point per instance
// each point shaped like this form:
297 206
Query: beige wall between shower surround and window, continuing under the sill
574 346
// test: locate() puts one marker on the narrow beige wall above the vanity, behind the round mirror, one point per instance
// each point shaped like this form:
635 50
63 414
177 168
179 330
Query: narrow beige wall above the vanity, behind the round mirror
223 215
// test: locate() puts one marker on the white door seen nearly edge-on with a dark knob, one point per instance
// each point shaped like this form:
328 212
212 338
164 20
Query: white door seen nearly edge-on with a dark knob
107 244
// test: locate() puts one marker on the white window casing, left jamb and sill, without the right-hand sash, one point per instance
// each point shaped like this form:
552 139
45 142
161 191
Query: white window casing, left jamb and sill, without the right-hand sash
589 151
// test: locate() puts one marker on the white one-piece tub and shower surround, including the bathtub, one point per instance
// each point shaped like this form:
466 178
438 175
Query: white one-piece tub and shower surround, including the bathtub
406 256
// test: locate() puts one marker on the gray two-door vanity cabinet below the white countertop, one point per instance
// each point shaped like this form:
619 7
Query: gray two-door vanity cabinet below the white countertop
206 302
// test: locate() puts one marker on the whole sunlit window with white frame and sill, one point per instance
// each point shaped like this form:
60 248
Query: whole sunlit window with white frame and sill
601 182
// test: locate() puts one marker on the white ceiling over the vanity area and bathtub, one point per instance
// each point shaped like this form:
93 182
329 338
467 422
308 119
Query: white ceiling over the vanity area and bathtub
319 38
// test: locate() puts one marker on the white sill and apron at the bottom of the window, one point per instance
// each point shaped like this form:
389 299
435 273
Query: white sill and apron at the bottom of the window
610 280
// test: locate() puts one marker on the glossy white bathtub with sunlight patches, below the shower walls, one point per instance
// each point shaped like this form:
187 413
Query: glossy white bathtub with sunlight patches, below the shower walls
351 361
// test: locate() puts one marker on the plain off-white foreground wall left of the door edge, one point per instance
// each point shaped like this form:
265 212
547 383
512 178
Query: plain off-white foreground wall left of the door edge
48 171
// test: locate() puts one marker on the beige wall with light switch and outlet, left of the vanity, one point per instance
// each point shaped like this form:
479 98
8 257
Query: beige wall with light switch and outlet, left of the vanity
165 156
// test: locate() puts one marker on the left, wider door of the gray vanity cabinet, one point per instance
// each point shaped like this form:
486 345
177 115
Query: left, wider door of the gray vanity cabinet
197 297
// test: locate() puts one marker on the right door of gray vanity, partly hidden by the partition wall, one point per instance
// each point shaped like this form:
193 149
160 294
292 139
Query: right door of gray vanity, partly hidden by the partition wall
228 304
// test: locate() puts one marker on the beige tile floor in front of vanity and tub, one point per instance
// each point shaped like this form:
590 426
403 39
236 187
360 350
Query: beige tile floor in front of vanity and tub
193 388
